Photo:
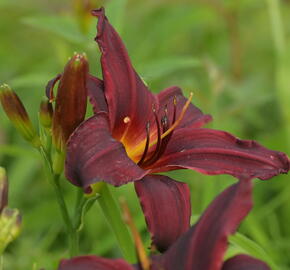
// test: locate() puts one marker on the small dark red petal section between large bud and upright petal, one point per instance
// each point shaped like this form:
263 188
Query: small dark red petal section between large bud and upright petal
96 94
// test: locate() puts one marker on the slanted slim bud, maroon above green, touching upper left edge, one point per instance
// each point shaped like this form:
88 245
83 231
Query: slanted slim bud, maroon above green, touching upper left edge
16 112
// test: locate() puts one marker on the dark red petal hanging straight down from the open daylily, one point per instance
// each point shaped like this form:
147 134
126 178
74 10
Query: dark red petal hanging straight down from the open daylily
166 206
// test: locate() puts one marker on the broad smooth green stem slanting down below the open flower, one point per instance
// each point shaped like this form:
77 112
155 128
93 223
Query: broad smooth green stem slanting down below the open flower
114 218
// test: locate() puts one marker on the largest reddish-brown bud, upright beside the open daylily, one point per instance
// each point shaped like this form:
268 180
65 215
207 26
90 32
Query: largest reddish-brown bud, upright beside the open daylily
71 100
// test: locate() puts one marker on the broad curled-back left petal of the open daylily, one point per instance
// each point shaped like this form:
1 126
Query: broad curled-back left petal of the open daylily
93 155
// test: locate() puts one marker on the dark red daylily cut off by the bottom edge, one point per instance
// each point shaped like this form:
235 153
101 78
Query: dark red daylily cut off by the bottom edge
202 247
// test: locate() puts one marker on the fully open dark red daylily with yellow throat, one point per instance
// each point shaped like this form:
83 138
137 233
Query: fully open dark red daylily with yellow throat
135 133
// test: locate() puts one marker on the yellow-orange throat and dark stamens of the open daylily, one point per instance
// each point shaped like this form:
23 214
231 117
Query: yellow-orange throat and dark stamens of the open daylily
159 143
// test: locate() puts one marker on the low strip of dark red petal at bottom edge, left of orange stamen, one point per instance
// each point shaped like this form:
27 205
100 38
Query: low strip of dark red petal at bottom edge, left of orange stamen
94 263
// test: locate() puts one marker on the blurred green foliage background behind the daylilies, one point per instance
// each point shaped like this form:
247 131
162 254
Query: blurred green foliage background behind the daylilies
234 56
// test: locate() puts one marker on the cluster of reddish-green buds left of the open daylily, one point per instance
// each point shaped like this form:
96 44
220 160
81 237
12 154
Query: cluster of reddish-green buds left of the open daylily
59 120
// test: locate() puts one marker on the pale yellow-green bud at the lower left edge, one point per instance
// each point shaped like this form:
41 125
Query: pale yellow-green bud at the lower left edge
10 224
